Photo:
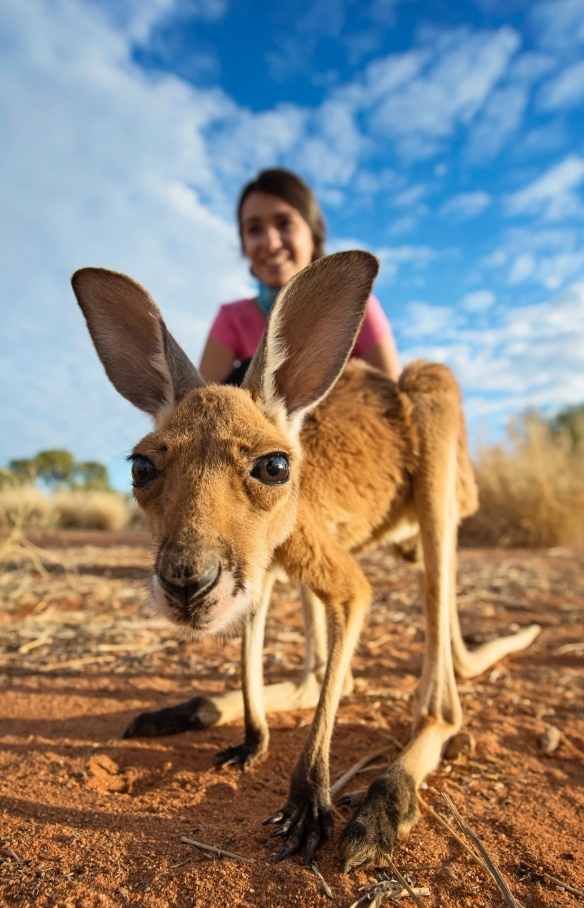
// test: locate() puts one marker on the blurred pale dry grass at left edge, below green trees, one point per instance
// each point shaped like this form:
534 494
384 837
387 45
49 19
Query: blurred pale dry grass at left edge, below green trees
26 506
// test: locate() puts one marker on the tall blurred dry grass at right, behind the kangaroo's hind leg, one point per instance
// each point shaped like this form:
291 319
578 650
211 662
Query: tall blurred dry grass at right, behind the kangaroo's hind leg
531 491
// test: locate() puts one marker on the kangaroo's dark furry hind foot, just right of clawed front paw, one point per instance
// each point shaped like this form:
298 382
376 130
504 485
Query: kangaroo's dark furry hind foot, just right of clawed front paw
388 811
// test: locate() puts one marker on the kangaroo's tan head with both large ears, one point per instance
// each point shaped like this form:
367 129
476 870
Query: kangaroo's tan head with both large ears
218 479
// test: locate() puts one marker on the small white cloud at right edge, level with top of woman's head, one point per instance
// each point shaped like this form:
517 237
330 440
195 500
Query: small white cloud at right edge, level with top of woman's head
551 194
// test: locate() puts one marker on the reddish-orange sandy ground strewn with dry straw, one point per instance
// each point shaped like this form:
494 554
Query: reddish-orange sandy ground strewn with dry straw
89 819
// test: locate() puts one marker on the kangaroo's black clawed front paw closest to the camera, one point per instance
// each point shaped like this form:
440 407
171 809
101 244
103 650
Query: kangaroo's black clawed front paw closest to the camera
307 817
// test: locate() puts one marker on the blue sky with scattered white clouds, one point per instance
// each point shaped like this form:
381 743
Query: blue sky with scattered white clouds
446 137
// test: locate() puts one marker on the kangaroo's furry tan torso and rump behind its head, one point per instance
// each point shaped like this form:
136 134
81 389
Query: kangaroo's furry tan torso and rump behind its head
361 451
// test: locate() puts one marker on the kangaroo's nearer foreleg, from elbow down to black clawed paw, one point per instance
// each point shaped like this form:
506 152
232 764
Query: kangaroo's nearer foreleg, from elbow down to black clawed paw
306 816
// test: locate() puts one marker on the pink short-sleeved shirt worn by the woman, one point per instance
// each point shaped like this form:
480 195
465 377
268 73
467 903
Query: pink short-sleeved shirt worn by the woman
239 327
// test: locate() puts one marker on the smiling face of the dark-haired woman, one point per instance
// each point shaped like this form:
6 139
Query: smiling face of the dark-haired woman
276 238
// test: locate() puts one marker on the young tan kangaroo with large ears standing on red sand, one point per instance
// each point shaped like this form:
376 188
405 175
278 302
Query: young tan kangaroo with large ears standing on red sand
281 472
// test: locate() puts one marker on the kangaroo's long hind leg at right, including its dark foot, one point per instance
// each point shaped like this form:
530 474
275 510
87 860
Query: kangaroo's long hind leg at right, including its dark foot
389 808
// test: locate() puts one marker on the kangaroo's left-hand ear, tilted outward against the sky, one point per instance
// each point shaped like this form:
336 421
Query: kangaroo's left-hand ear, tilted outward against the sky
140 356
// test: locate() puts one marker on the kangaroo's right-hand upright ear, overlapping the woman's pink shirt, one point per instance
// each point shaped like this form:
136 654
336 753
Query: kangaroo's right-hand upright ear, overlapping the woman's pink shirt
310 333
